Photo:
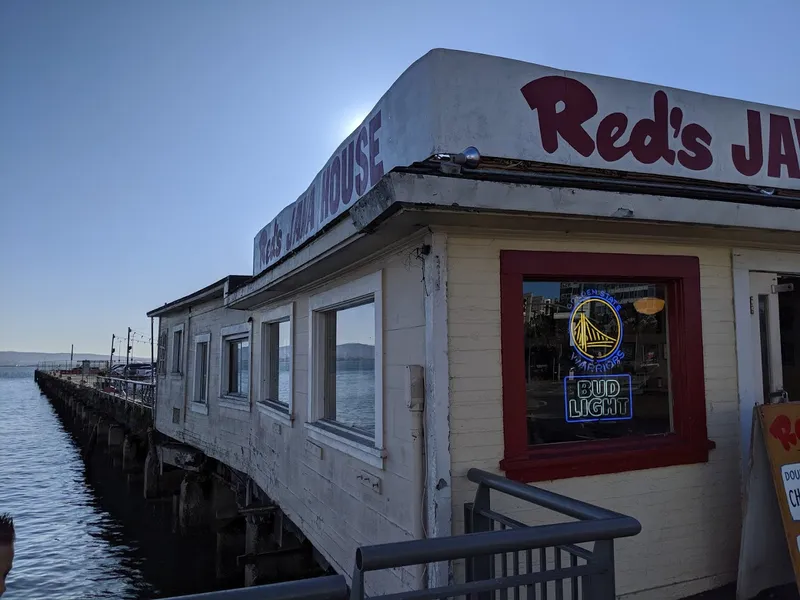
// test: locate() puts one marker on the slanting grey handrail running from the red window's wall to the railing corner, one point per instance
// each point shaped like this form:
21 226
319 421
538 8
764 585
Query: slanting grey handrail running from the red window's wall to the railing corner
555 502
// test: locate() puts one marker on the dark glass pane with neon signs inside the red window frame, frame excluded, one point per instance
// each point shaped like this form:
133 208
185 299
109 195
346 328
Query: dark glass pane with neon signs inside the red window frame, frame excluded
596 360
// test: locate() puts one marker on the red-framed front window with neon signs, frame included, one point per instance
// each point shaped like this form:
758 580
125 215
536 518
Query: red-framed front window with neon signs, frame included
602 363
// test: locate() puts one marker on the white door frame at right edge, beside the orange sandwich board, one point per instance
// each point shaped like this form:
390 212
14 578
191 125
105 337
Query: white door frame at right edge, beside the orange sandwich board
743 262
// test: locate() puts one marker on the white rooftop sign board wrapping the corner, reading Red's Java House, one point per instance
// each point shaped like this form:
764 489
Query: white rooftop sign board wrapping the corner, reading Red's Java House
449 100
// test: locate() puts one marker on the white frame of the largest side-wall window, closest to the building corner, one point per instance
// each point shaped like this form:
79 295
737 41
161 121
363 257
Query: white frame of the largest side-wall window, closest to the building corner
372 452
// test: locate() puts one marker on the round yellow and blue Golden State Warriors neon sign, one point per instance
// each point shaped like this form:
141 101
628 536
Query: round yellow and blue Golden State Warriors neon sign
595 331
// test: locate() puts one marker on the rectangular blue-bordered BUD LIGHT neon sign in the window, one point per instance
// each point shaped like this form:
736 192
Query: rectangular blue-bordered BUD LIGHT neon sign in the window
598 398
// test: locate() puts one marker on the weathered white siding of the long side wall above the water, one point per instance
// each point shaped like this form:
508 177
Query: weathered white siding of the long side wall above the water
323 496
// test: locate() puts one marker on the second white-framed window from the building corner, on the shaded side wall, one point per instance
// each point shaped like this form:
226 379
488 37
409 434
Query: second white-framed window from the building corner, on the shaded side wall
276 391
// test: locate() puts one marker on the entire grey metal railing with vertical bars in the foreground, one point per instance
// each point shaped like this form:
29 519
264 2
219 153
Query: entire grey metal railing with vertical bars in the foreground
501 557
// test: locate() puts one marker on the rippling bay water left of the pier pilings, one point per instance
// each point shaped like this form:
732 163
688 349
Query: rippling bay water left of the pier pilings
79 538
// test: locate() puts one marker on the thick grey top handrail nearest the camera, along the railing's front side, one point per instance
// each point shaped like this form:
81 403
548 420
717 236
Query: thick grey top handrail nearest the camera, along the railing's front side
412 552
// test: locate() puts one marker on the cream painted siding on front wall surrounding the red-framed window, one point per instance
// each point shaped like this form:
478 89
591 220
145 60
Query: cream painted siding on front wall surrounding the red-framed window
690 514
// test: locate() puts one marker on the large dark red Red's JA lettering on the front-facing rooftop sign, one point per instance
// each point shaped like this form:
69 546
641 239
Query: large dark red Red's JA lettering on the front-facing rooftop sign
565 105
